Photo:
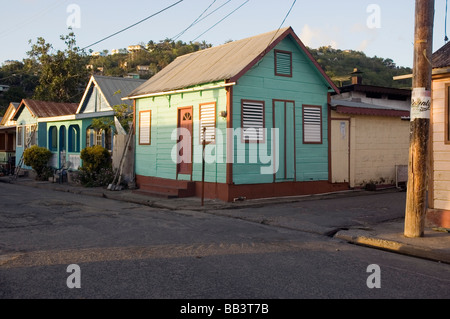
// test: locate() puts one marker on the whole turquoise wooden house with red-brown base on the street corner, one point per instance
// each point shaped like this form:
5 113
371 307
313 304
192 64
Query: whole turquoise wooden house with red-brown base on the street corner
260 106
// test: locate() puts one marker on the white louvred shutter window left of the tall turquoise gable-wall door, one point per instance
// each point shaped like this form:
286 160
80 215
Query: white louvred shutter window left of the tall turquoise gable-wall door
253 121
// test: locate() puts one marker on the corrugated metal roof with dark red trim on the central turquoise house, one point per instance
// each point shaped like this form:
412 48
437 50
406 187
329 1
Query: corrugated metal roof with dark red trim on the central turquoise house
219 63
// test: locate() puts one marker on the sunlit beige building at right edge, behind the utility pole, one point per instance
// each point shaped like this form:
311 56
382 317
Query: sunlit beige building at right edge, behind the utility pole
439 185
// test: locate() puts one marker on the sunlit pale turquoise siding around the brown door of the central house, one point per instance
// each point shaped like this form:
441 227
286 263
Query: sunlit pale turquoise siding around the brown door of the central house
156 159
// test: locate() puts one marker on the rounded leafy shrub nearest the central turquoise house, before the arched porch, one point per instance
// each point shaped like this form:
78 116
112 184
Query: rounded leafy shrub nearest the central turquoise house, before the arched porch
97 167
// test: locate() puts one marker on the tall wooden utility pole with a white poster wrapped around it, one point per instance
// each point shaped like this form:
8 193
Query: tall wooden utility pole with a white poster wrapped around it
420 120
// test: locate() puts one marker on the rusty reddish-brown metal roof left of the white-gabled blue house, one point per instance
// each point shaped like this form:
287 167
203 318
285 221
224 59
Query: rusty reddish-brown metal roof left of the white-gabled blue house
43 109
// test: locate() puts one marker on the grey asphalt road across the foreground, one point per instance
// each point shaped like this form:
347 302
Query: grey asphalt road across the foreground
126 250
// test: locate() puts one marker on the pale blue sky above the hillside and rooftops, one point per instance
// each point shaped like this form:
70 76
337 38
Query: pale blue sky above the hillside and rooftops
382 28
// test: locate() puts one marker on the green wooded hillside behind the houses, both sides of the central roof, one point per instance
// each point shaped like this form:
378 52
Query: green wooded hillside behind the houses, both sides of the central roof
24 77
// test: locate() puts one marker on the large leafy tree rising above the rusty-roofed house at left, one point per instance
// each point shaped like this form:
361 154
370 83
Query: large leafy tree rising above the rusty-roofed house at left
63 74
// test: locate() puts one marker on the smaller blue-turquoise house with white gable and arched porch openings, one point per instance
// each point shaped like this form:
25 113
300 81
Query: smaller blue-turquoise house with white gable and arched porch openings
67 136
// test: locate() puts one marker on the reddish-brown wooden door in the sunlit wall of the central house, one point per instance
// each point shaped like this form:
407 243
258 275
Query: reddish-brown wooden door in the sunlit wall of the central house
185 122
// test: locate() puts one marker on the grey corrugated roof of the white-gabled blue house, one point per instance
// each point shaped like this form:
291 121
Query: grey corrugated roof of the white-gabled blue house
110 85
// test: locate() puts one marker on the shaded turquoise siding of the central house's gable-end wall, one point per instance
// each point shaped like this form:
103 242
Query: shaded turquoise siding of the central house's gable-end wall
306 86
